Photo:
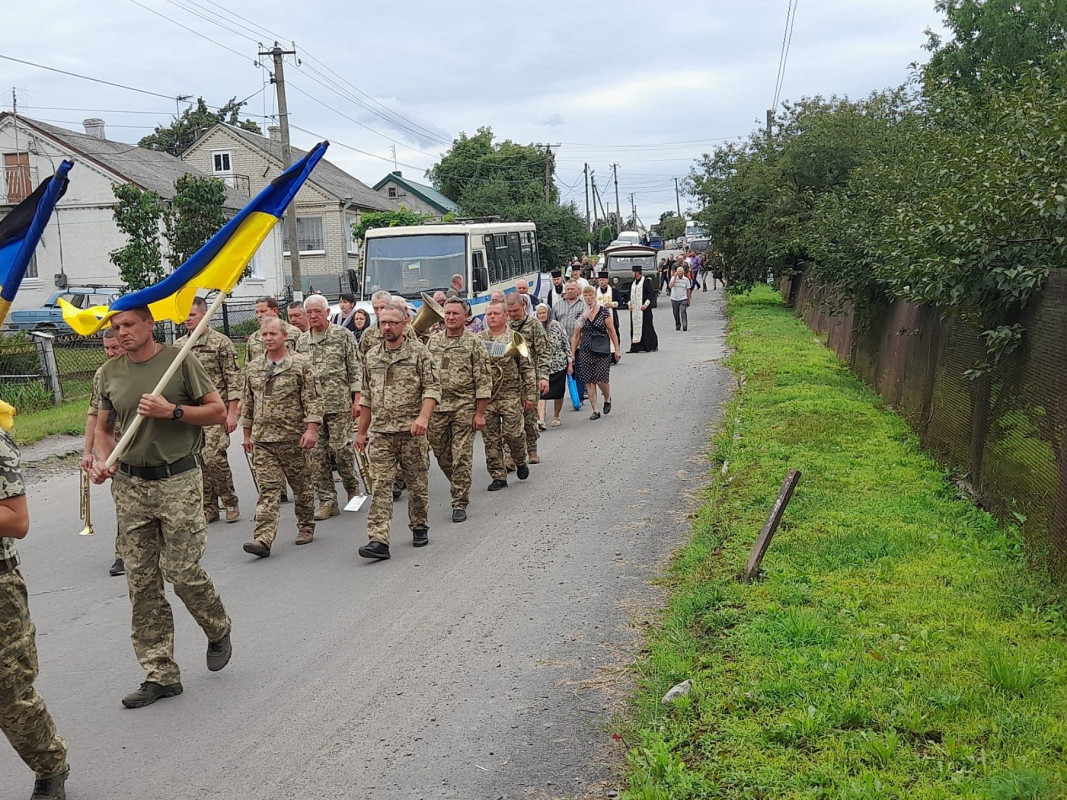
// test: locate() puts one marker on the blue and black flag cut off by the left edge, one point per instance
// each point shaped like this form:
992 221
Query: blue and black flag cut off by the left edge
21 232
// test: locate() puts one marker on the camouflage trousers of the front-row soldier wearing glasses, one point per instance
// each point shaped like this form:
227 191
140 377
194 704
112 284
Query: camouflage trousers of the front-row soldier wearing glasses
389 455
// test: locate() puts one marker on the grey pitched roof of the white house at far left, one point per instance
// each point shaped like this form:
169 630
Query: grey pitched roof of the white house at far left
151 170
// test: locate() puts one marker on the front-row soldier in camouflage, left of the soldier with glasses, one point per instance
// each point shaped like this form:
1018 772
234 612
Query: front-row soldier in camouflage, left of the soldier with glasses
281 412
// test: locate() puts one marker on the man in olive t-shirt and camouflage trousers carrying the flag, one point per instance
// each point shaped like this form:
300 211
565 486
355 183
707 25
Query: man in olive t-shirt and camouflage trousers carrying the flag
158 492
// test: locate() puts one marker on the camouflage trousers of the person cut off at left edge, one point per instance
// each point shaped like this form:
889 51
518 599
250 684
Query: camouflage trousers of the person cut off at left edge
24 717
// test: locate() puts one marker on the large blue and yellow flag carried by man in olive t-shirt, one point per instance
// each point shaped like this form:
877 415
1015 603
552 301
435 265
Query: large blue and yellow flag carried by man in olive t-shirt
218 265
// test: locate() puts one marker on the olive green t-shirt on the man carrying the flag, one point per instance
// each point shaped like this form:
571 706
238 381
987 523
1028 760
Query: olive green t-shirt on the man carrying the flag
158 441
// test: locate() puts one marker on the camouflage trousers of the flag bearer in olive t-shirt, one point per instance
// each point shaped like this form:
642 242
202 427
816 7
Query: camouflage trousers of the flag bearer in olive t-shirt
162 538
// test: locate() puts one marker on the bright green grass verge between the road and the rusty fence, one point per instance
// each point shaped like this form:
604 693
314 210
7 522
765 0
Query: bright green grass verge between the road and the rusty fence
898 647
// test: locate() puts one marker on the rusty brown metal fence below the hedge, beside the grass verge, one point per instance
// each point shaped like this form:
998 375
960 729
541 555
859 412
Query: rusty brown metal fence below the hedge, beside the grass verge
1006 434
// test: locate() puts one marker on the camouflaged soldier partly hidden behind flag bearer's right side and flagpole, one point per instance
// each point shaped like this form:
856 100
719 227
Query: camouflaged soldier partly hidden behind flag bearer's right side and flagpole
219 359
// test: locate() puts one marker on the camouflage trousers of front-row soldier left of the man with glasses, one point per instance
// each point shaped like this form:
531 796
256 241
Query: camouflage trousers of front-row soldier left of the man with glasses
276 463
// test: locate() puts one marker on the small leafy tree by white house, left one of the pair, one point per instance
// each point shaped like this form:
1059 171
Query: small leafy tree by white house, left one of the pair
138 215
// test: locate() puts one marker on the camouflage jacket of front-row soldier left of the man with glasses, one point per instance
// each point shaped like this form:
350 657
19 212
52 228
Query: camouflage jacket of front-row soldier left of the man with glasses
279 402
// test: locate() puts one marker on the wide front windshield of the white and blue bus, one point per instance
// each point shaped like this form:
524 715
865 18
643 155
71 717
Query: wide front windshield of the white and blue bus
410 265
